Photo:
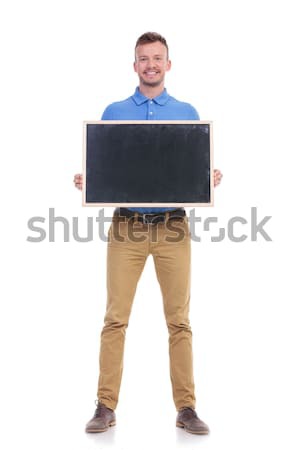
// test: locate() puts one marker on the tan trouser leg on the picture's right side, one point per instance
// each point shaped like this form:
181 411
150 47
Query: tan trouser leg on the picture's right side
172 264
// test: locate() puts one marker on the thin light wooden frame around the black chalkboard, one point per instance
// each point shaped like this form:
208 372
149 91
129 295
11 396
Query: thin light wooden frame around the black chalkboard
155 122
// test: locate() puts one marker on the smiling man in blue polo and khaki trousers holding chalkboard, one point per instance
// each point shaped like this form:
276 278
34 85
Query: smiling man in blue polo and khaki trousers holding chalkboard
126 258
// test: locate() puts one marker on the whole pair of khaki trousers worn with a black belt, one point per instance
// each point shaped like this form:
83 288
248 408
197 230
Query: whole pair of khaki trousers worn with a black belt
129 245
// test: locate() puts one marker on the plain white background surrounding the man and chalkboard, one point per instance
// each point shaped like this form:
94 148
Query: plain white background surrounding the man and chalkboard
237 63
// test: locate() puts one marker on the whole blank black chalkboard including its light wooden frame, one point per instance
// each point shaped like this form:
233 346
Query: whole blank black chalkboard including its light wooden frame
147 163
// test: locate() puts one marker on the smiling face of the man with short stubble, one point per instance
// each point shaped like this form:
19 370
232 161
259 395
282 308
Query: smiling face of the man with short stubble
151 63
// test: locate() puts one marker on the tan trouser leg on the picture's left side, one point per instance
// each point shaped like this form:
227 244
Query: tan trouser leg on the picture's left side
125 263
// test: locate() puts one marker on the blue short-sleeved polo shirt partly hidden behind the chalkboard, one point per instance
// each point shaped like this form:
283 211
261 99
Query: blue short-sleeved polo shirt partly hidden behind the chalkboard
139 107
